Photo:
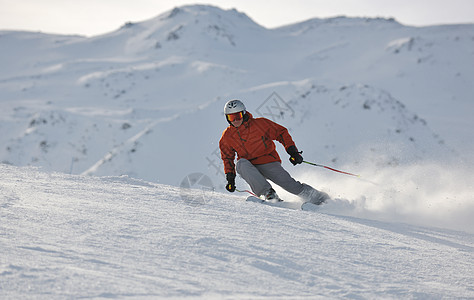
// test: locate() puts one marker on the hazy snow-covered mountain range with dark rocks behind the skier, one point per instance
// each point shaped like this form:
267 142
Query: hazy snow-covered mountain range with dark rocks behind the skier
134 101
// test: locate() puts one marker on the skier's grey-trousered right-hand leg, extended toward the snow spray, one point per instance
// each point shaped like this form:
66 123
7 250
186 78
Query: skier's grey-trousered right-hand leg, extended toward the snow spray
275 172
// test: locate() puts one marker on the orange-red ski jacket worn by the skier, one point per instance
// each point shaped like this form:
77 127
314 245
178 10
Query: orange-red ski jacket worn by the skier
253 140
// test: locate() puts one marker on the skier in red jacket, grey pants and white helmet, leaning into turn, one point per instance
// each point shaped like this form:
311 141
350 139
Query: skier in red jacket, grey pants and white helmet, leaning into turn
257 159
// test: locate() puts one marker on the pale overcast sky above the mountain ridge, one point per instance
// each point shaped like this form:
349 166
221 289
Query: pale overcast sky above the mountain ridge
92 17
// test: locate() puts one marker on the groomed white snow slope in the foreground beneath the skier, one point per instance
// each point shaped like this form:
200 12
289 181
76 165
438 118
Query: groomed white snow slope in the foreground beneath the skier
69 236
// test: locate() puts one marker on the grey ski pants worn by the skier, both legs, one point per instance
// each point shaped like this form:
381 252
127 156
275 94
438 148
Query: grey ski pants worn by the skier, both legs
256 176
